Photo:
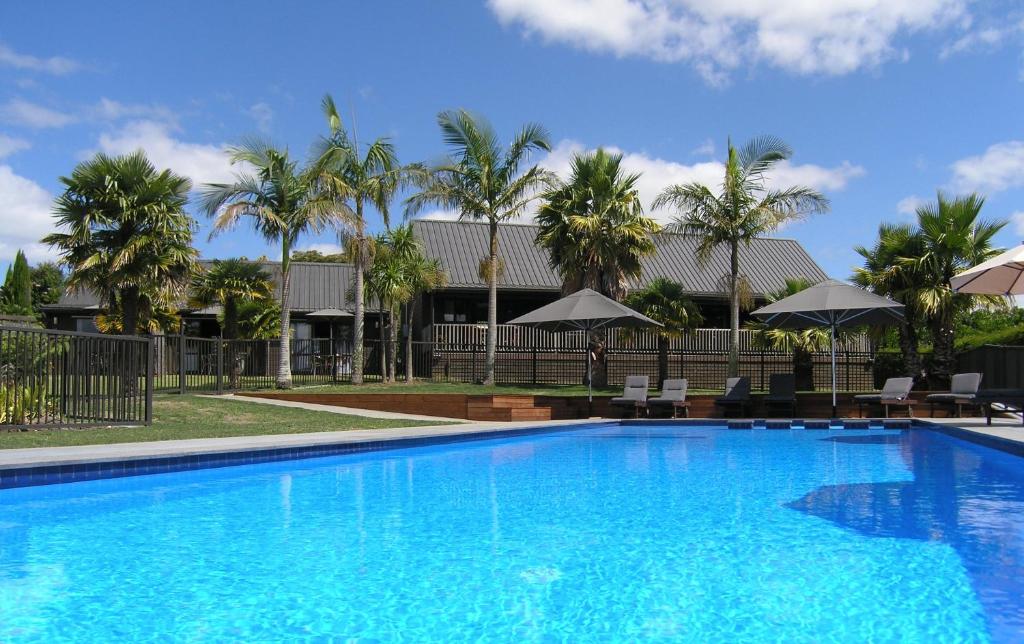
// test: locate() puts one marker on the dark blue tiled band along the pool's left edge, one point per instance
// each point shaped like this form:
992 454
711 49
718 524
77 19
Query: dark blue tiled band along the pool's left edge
32 476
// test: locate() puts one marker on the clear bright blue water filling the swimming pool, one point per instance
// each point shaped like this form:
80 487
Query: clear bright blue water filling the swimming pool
602 534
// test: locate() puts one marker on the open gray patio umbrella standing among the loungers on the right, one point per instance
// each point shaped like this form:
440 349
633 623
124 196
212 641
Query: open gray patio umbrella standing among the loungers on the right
834 305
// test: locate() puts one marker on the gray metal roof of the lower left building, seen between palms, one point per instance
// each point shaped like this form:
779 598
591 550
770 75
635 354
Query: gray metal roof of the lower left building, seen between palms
315 286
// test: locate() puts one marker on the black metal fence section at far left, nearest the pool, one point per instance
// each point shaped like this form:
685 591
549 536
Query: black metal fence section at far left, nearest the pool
59 378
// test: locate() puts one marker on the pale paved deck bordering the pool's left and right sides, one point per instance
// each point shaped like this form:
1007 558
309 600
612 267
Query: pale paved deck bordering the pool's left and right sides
1006 430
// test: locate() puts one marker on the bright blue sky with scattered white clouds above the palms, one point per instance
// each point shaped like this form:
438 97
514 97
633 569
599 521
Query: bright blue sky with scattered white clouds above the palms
884 102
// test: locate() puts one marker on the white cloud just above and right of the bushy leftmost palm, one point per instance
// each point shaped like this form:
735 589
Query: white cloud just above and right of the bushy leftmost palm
203 163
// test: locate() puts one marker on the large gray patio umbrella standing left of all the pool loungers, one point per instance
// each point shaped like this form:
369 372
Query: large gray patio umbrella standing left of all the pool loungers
584 311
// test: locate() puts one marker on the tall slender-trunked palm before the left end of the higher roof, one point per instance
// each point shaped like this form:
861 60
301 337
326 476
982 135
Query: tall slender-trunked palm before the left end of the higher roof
483 182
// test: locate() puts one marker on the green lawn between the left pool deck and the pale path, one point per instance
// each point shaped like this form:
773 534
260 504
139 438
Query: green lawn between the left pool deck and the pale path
193 417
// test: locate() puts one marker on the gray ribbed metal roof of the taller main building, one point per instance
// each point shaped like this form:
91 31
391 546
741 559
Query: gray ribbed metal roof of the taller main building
460 246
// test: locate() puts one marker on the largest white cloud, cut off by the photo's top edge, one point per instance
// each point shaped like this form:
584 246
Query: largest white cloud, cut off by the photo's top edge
718 36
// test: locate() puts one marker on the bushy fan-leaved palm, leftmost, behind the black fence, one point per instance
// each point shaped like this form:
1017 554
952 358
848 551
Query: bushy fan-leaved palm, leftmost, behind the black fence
126 236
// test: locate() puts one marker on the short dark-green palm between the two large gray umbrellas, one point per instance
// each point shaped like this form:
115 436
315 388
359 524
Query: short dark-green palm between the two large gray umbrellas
666 302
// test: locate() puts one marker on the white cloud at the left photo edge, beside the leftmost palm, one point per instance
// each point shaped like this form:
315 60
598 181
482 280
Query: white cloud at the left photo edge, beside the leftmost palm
25 218
